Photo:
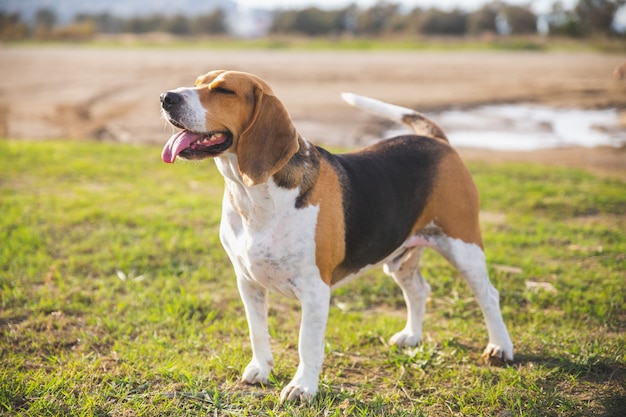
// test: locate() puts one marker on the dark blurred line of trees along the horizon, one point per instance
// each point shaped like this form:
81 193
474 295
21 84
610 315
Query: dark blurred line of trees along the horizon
586 18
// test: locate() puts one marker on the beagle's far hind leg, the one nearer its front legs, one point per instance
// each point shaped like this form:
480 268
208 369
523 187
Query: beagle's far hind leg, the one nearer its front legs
404 270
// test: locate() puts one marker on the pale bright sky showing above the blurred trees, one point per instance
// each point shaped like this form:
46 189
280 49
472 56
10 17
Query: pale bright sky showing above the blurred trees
537 6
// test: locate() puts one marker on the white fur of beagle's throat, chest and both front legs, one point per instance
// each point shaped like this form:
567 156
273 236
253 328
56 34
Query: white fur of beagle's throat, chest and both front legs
272 247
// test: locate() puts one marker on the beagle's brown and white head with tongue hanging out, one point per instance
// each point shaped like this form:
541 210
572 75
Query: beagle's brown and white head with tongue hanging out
229 111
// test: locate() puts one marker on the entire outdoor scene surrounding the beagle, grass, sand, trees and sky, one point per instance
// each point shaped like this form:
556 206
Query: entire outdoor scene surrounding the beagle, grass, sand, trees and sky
117 299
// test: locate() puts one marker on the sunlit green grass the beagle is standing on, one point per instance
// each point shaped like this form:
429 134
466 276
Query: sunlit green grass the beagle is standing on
118 300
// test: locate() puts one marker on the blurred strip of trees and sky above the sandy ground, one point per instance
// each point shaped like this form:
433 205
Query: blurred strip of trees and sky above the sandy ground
257 18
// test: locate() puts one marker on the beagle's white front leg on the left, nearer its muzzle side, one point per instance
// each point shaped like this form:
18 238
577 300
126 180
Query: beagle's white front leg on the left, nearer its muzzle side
254 299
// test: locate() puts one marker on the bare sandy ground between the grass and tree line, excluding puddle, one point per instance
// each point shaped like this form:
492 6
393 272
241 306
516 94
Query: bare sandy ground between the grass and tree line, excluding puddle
113 94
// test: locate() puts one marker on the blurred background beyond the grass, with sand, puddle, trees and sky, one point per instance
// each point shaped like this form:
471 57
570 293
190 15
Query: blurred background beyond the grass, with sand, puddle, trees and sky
505 76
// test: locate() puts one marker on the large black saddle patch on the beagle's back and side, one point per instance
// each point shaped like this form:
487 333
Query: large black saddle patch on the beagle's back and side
386 188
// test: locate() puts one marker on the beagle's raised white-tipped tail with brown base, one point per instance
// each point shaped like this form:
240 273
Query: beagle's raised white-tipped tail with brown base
416 120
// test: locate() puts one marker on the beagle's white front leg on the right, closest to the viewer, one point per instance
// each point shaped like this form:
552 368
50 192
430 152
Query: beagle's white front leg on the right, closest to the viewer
315 300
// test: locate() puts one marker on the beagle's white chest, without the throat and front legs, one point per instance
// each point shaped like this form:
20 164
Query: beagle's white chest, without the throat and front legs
271 242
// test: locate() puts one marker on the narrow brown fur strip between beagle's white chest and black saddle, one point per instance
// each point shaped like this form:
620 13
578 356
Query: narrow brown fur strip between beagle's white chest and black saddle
330 229
